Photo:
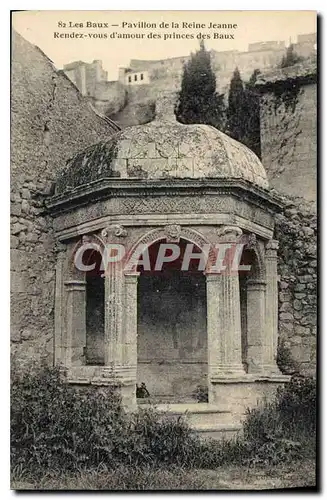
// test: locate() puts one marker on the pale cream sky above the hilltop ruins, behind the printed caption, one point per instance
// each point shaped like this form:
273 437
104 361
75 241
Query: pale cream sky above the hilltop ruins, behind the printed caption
41 27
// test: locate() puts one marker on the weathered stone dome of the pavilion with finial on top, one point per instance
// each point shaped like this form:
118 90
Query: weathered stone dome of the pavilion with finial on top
164 149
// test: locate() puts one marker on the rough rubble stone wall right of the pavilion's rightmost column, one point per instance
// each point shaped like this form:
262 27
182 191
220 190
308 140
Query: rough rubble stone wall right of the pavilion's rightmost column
297 266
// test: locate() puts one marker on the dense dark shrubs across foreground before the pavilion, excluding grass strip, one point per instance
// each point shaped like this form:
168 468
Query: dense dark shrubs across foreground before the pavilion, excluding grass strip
57 428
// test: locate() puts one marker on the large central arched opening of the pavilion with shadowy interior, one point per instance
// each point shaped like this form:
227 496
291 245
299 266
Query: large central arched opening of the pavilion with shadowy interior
172 335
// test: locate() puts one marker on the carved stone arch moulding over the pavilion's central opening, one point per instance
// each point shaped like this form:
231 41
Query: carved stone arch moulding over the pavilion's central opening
172 233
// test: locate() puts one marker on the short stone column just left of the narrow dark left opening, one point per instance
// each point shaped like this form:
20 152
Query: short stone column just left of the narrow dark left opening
75 339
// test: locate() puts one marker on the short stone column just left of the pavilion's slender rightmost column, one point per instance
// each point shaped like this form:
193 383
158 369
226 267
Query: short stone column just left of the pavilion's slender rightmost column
256 331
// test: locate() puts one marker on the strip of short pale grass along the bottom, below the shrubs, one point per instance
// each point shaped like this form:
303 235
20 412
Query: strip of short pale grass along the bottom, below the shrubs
293 475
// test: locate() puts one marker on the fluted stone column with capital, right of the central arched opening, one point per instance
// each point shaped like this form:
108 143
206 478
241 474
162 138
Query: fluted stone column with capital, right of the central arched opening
224 316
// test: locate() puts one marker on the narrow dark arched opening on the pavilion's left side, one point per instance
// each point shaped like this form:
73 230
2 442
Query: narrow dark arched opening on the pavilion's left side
94 352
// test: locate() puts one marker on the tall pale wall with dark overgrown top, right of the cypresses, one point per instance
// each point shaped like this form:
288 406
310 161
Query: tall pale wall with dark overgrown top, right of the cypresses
288 124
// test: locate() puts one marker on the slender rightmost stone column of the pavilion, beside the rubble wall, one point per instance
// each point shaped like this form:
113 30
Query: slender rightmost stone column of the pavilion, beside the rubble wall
271 306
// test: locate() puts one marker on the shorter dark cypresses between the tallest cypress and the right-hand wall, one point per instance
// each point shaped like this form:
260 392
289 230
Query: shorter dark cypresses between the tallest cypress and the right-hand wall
243 113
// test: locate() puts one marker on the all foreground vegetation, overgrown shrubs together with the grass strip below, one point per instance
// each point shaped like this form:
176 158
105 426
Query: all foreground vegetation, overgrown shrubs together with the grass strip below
69 439
